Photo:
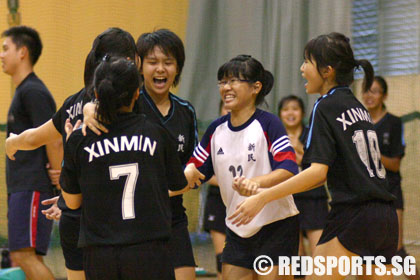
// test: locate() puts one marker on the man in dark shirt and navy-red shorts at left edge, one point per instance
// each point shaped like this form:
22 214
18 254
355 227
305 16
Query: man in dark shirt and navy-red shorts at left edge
26 176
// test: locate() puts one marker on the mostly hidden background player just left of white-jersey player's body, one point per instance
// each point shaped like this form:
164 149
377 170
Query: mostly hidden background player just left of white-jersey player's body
215 214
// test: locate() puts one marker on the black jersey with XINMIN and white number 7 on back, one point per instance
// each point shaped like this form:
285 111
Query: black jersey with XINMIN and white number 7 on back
124 177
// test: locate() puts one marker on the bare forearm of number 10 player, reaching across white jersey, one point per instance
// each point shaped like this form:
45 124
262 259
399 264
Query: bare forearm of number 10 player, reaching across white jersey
308 179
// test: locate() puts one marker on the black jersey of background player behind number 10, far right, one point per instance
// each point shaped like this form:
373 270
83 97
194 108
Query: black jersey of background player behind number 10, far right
391 143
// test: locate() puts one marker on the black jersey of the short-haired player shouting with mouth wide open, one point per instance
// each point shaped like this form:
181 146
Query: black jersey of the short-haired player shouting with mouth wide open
181 124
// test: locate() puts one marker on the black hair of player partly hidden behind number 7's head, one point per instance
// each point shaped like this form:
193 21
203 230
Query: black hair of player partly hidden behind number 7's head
114 42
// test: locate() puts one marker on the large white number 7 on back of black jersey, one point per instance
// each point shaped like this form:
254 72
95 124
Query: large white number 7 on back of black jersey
130 170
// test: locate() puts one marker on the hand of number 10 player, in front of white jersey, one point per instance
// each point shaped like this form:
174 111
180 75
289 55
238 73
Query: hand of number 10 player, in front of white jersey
247 210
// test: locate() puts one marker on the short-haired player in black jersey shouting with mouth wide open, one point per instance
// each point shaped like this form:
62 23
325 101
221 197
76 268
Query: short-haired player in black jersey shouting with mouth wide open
162 59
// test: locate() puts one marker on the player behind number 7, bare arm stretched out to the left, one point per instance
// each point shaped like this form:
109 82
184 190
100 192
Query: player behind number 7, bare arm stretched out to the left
116 42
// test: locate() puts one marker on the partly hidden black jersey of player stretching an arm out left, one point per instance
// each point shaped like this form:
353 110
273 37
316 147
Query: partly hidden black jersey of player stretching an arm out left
72 109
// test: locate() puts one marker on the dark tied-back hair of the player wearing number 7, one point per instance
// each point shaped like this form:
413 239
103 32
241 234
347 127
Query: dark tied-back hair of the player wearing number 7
115 83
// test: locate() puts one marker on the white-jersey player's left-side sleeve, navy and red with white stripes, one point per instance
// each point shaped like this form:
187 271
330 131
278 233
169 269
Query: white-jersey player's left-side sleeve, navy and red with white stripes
202 153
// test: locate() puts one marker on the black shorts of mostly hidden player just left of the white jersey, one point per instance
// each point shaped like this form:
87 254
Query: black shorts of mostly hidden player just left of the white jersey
214 213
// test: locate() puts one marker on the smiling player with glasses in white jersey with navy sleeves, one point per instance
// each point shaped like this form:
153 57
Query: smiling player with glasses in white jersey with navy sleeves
250 144
